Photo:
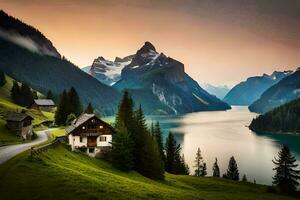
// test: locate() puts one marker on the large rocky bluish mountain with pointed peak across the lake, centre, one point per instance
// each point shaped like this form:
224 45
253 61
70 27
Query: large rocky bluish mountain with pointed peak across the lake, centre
161 85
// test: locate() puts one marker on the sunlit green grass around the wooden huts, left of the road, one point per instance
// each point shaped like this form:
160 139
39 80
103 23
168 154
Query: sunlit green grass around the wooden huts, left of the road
6 105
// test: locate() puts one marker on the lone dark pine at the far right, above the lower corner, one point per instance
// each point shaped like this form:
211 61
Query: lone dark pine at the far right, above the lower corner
286 177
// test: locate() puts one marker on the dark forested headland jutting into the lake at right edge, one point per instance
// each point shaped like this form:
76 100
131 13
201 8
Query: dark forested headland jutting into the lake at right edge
285 118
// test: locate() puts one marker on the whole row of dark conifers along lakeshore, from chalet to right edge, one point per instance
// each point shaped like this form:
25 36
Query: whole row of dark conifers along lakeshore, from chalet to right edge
137 147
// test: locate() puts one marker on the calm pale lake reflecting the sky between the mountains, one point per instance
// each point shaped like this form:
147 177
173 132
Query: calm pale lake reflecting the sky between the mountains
222 134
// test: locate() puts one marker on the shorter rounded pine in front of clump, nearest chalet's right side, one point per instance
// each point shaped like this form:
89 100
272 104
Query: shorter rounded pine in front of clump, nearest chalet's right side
122 152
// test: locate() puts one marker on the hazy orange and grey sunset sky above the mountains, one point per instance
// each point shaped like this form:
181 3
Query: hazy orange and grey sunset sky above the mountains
221 42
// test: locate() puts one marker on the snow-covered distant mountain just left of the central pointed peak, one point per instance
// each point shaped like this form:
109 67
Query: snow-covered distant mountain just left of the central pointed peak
106 71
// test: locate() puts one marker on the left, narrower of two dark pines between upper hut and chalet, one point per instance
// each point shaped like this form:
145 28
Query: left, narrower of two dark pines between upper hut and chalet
62 110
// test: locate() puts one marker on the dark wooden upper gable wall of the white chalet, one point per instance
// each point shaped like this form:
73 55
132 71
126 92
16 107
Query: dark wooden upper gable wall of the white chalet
93 126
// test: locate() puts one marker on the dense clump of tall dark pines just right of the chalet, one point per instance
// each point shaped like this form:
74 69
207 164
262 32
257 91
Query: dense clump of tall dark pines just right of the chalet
137 147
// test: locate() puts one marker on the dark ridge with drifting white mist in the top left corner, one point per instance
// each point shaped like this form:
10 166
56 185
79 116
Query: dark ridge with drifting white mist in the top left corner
25 35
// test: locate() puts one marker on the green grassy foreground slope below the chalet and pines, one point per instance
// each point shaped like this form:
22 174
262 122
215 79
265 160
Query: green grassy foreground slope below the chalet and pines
60 174
